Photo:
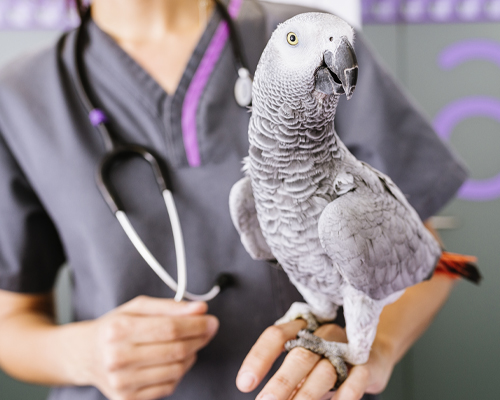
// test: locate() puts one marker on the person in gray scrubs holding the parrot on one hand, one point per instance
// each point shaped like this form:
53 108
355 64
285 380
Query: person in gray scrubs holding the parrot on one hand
129 340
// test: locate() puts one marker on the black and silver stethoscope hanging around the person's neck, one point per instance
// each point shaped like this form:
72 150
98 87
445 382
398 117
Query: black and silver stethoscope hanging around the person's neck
117 151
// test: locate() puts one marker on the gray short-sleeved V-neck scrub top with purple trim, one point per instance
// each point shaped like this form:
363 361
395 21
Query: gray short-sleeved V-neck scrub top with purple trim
51 210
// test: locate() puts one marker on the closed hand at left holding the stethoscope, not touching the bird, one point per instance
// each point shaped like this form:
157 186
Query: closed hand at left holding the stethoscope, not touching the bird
142 349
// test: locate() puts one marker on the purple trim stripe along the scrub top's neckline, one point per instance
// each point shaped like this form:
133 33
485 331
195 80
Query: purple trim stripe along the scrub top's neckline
200 80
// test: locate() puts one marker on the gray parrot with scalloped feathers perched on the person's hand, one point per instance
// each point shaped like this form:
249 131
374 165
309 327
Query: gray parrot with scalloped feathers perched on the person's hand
341 230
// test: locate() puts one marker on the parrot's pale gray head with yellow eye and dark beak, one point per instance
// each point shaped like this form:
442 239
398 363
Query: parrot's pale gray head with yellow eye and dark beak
310 54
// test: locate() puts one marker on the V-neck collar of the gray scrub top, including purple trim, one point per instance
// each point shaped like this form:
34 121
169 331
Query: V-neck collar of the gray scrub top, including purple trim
176 114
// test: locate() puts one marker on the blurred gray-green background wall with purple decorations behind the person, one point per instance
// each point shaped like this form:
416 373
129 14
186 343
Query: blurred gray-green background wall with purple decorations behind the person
446 53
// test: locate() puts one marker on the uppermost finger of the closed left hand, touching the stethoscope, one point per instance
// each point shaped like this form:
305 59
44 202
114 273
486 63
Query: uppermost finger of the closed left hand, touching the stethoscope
145 305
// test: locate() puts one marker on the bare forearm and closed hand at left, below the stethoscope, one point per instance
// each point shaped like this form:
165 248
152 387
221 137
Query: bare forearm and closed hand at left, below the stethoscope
140 350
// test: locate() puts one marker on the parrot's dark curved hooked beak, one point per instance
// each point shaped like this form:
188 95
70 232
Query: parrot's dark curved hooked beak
339 72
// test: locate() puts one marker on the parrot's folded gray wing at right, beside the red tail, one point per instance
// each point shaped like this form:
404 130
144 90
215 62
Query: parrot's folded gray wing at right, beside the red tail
376 239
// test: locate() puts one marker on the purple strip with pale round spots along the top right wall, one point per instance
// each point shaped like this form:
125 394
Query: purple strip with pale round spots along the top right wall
430 11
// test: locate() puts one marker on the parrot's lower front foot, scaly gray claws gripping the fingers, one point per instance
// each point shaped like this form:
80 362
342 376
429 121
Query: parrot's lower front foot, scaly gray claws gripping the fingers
333 351
